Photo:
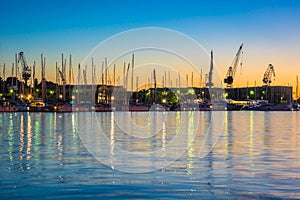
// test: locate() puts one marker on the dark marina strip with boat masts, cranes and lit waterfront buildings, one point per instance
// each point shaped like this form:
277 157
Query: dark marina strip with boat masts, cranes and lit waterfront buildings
23 92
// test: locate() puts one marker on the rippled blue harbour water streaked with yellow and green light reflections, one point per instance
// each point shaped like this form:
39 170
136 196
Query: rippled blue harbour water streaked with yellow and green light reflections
257 156
